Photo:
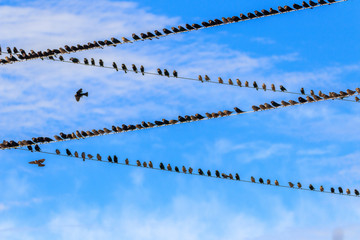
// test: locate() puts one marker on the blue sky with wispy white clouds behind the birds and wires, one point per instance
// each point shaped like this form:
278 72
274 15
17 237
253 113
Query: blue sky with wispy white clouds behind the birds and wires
70 199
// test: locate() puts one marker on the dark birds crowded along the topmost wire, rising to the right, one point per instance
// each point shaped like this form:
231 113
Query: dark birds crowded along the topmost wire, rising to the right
23 56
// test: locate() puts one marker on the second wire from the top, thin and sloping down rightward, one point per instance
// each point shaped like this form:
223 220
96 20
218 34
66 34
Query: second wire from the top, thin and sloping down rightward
234 84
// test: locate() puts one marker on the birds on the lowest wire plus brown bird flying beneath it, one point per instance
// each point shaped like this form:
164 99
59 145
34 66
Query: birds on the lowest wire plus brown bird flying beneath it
189 170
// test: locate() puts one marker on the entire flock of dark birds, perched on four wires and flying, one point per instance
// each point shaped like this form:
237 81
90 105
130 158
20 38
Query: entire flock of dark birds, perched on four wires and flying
22 55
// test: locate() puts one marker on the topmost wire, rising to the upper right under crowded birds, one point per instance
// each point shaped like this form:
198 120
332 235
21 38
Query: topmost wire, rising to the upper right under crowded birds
242 18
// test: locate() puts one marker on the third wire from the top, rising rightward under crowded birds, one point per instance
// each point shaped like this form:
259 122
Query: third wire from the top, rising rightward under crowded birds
3 146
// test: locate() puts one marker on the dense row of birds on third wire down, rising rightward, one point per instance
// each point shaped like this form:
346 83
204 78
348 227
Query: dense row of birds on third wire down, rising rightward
164 122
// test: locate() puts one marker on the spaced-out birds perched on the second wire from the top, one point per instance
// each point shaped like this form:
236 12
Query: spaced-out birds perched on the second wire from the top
201 78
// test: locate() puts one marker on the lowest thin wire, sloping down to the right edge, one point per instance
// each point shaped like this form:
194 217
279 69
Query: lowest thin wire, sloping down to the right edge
193 173
